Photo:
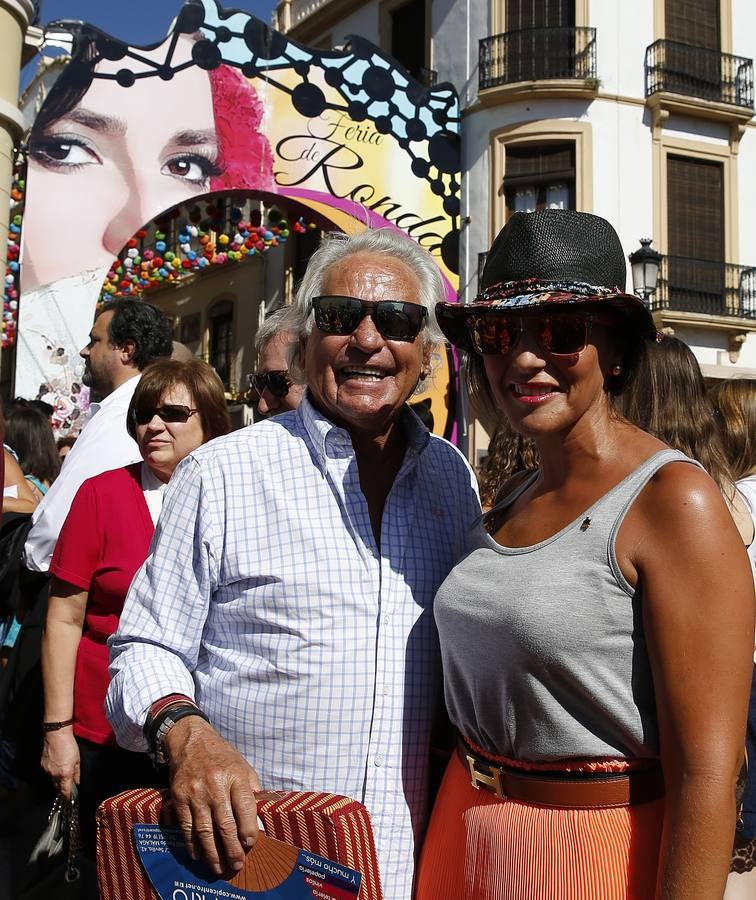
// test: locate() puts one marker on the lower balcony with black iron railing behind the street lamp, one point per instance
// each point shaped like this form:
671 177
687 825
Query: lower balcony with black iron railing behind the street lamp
705 288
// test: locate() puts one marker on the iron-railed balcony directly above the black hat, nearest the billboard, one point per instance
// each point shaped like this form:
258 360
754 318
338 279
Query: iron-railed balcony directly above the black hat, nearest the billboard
559 57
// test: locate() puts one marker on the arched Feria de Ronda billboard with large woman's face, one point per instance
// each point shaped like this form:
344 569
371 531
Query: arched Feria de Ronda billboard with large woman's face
224 103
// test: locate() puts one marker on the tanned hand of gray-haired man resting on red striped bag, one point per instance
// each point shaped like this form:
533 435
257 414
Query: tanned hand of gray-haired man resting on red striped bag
212 787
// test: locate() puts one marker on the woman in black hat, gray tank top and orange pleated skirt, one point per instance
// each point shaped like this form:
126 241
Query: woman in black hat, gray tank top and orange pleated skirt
597 634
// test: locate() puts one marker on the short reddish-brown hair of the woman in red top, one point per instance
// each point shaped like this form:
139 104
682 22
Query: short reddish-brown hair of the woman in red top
202 382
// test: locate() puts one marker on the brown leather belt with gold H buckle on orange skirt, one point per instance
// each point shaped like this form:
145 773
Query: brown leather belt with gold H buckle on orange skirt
569 791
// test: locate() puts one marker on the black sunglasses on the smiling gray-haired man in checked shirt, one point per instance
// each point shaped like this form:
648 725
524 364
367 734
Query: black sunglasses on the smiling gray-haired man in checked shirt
394 320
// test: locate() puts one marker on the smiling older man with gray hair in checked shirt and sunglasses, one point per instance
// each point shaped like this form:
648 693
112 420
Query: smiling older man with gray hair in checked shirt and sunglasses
288 595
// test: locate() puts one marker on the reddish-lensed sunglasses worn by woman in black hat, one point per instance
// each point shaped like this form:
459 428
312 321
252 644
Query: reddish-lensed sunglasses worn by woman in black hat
561 334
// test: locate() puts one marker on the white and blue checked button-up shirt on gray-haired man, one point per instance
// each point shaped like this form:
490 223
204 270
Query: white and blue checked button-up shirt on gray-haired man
313 651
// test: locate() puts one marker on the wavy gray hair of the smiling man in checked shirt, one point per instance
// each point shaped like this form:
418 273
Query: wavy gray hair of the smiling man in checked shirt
334 248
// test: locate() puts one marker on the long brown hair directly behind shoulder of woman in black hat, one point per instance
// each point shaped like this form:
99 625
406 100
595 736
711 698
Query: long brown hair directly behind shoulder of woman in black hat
669 400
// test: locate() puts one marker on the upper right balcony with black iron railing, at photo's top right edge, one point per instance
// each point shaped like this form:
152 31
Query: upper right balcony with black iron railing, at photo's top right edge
695 81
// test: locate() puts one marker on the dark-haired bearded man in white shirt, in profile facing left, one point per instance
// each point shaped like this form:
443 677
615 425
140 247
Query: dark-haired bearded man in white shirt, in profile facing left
126 336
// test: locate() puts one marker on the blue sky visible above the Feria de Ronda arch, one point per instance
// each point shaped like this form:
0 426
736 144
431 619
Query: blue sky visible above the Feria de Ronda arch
136 21
